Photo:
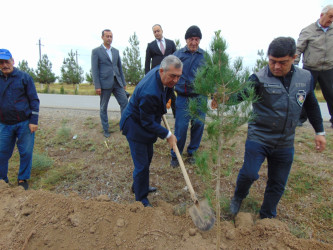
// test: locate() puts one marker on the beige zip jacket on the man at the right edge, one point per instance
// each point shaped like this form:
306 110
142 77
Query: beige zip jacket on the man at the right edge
316 46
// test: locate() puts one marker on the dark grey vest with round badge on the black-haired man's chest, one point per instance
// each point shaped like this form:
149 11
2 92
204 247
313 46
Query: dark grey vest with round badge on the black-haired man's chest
277 112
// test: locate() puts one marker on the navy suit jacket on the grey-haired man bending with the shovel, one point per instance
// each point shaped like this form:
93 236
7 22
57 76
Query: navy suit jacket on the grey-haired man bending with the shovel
141 119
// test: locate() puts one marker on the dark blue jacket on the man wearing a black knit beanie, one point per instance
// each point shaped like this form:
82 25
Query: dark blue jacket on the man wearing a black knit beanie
191 63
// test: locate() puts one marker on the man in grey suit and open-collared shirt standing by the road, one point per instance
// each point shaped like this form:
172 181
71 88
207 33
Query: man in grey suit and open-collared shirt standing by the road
108 77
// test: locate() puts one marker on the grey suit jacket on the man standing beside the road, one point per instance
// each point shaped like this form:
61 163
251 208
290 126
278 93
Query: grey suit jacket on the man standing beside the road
104 71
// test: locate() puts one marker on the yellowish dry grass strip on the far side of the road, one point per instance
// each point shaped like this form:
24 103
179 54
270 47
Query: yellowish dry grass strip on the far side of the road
88 89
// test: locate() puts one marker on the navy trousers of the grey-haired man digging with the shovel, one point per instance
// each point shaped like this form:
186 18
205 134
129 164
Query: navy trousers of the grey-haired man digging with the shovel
141 154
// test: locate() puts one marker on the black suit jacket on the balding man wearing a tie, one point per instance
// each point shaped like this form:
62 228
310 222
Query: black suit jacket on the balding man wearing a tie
154 55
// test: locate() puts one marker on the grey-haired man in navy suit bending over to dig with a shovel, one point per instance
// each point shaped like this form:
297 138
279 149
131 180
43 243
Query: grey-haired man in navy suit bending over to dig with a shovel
141 120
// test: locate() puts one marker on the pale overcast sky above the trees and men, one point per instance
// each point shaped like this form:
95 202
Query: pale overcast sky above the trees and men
65 25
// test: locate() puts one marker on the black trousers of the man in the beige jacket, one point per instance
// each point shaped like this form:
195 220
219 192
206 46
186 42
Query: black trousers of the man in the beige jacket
325 80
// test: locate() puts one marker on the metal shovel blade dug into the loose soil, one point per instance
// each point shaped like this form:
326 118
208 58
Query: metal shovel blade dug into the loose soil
202 215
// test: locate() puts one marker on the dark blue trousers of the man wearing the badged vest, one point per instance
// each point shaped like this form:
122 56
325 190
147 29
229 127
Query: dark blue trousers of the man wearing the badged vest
279 165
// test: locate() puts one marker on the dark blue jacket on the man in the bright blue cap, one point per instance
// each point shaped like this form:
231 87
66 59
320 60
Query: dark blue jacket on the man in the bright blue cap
18 98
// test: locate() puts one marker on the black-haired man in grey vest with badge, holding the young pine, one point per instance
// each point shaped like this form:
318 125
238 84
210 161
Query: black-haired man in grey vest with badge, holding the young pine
282 91
